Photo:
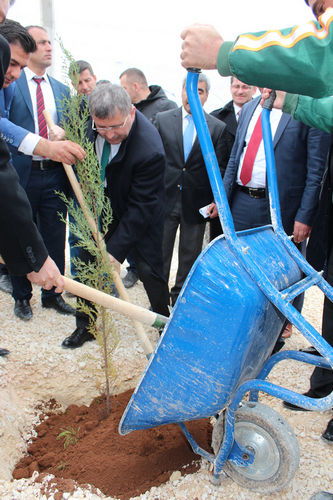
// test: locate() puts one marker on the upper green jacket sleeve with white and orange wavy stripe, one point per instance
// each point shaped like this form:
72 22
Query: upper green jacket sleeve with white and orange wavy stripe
298 60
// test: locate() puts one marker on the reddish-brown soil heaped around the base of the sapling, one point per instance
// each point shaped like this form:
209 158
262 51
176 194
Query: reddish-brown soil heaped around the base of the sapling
119 466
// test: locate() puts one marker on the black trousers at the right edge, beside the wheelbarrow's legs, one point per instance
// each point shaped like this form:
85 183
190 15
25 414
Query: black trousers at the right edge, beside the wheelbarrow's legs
321 381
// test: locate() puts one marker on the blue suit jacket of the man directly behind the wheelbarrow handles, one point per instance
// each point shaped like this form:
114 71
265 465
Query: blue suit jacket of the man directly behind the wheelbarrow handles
300 155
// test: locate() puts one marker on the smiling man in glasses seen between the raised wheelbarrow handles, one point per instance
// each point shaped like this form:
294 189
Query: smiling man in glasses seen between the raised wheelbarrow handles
229 114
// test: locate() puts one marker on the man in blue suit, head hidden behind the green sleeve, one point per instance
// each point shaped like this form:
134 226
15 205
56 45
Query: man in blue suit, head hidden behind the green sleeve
300 154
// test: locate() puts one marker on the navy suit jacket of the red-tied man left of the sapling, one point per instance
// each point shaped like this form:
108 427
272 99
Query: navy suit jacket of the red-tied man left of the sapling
21 113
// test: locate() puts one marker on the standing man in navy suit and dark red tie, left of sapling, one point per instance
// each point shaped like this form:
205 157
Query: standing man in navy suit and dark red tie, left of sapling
40 177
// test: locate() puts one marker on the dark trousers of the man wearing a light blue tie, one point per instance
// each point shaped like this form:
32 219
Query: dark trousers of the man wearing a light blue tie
190 245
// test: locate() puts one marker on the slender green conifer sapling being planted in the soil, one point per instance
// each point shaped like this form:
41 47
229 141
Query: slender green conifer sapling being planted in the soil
98 272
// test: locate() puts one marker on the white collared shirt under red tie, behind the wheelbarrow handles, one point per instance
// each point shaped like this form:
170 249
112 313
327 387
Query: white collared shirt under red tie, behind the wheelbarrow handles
258 179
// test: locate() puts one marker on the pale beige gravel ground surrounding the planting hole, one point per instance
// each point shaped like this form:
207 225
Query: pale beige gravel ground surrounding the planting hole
38 369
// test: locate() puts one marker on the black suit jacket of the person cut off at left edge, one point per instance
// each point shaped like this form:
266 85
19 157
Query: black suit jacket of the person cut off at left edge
21 245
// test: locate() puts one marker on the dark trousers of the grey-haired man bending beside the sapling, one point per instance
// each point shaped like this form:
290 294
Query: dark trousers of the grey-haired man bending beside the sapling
155 286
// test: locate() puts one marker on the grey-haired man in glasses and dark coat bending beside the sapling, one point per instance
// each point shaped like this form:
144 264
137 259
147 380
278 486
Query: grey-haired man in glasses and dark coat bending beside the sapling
130 150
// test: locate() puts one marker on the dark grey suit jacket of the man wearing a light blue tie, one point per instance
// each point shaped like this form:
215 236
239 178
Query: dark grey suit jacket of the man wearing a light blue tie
190 175
